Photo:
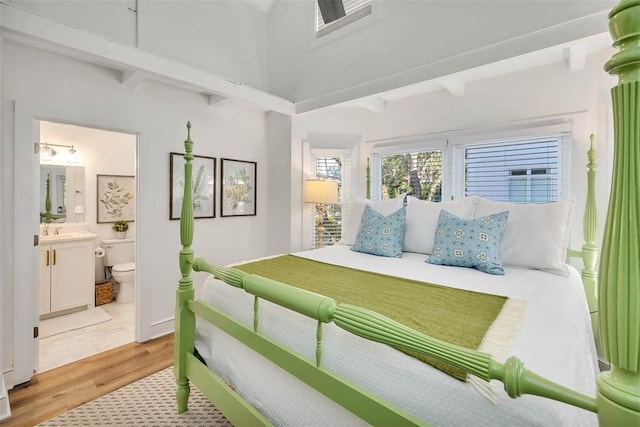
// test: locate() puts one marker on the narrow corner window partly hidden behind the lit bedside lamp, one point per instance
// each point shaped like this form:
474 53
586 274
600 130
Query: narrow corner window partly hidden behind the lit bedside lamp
337 168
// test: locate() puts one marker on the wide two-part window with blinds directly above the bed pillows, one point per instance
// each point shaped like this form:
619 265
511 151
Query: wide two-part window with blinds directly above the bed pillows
518 170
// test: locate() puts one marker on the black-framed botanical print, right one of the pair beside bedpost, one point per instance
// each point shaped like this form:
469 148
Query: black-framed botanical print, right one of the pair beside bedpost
238 192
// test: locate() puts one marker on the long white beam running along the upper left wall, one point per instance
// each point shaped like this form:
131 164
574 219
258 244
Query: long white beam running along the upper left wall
29 28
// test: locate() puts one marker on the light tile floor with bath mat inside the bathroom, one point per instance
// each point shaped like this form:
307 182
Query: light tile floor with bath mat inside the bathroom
70 346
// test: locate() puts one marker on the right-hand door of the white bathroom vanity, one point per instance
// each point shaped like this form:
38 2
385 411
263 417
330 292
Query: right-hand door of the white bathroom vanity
72 275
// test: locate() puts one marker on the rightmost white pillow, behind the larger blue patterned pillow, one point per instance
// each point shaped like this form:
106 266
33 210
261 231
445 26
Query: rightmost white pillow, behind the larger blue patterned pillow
536 236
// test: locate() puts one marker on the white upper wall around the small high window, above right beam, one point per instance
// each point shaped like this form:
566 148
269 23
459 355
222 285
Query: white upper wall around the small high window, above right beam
412 41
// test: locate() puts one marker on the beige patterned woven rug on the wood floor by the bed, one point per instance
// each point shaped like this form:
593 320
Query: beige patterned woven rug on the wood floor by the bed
150 401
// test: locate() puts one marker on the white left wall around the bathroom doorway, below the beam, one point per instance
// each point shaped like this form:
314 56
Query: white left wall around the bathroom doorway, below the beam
80 93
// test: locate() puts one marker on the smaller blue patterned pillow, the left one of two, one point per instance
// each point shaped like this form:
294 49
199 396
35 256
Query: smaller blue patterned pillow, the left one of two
379 234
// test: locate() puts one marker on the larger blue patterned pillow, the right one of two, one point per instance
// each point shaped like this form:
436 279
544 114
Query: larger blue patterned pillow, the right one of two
469 242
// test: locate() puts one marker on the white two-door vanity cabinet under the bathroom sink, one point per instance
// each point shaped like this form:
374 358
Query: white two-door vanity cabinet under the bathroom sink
67 272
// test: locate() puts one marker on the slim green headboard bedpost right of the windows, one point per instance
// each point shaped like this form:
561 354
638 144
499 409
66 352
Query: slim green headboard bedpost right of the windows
589 248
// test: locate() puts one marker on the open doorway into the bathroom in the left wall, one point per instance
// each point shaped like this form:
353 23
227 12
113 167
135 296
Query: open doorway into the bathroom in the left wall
78 161
